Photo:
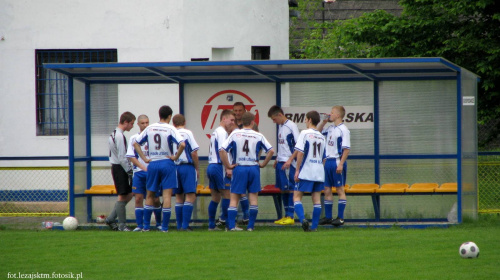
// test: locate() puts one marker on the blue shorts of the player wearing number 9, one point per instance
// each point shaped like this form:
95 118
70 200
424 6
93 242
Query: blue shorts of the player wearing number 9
162 175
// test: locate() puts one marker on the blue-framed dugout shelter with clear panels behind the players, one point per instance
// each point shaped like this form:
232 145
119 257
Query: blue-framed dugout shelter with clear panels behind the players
416 124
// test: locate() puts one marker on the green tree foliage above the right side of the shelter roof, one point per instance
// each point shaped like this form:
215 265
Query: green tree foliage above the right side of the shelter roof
462 31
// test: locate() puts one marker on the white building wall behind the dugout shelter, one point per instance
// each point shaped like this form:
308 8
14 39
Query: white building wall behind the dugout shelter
141 31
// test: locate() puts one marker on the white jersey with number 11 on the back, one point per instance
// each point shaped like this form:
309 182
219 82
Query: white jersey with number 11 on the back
312 143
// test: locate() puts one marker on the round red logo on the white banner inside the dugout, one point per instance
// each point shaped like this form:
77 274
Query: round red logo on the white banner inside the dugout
222 100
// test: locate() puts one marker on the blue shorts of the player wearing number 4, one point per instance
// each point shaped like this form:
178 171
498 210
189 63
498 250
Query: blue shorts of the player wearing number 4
246 178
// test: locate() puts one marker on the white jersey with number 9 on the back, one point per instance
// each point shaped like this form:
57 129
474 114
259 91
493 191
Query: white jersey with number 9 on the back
161 138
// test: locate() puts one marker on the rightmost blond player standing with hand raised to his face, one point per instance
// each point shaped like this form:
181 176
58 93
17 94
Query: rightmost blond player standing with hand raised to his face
337 149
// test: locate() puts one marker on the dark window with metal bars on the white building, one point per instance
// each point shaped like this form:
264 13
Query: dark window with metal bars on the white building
52 87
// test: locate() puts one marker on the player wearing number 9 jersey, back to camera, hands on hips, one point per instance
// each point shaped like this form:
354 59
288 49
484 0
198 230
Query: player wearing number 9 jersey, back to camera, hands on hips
162 173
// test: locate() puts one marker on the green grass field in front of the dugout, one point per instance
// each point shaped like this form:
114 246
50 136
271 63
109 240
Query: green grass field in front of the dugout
267 253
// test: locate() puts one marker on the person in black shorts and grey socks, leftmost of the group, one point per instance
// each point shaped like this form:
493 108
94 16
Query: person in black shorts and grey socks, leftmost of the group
121 170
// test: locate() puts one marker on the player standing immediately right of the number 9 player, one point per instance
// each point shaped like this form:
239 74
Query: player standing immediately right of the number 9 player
187 175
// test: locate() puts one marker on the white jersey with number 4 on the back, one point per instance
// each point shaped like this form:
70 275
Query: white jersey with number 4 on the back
244 146
